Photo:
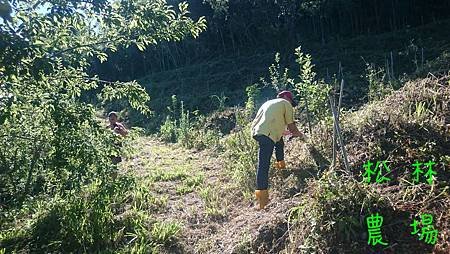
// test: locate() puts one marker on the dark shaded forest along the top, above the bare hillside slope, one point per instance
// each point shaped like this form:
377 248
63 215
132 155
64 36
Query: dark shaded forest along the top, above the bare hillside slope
241 27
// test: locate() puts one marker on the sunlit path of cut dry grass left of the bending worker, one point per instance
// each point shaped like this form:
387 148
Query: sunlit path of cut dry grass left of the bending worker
194 200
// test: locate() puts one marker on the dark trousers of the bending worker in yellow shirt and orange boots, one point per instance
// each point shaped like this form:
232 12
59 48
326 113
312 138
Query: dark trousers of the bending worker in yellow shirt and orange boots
266 146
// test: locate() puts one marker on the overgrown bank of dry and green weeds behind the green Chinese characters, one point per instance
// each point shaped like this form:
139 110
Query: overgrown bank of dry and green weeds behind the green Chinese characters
406 126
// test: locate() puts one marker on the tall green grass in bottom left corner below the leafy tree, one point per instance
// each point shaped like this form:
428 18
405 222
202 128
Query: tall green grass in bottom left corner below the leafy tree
99 217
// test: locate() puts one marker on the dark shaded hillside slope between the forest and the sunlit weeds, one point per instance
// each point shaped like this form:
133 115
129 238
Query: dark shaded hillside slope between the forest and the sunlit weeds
414 51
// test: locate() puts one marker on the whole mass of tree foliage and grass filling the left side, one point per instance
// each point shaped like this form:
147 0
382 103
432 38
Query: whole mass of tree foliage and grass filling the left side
59 190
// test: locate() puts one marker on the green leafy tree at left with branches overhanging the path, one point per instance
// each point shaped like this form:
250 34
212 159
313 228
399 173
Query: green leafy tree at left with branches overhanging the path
50 138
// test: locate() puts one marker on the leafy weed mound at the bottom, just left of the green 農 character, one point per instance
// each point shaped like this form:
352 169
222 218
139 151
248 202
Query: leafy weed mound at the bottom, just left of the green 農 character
330 216
